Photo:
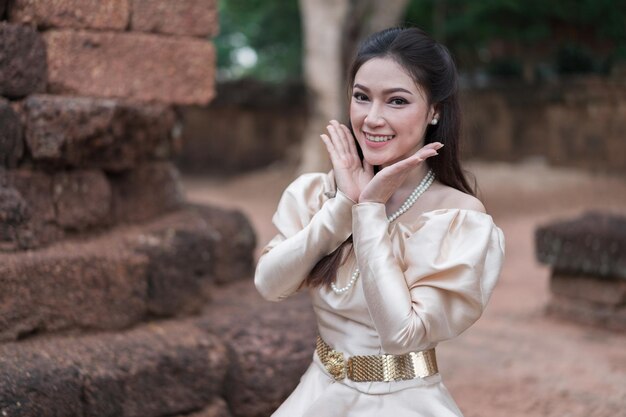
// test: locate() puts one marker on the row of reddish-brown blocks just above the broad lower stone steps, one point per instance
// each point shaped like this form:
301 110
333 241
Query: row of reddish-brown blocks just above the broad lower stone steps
77 202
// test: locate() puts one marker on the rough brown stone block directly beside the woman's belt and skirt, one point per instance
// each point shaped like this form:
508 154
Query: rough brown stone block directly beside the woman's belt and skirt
269 342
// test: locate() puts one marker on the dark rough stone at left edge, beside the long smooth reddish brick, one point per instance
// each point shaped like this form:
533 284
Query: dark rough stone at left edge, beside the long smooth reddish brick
23 61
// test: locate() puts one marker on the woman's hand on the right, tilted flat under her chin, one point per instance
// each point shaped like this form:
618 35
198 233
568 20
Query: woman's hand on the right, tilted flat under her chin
390 178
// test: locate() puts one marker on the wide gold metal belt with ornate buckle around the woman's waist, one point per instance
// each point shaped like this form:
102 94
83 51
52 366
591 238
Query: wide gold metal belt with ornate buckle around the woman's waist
384 368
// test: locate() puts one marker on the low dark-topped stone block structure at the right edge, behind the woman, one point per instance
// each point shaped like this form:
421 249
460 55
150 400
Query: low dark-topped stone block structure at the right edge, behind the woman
588 260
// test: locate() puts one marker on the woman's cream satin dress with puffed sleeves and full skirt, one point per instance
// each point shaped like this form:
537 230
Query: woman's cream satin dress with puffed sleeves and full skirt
425 278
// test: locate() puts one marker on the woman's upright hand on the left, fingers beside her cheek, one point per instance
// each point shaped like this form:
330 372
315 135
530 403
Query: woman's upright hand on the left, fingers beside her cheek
350 175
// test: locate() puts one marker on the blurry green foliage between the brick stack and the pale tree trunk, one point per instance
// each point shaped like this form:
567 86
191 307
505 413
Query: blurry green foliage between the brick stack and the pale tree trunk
271 28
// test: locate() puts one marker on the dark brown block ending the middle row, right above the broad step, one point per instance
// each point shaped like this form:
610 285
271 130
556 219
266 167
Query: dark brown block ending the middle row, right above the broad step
146 192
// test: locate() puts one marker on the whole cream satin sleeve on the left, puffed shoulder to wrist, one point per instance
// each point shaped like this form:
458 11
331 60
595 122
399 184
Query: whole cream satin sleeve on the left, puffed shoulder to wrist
312 220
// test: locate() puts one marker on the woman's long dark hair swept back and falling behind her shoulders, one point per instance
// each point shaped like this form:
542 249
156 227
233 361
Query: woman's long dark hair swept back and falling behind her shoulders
432 68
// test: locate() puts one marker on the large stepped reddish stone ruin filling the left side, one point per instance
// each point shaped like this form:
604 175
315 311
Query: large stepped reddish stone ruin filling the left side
117 296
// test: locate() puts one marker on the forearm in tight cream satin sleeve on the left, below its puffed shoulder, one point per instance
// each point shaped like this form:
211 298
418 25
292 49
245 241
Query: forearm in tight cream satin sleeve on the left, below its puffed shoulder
286 263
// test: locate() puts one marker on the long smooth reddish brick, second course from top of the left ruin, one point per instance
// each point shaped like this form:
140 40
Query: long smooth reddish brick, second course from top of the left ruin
131 65
